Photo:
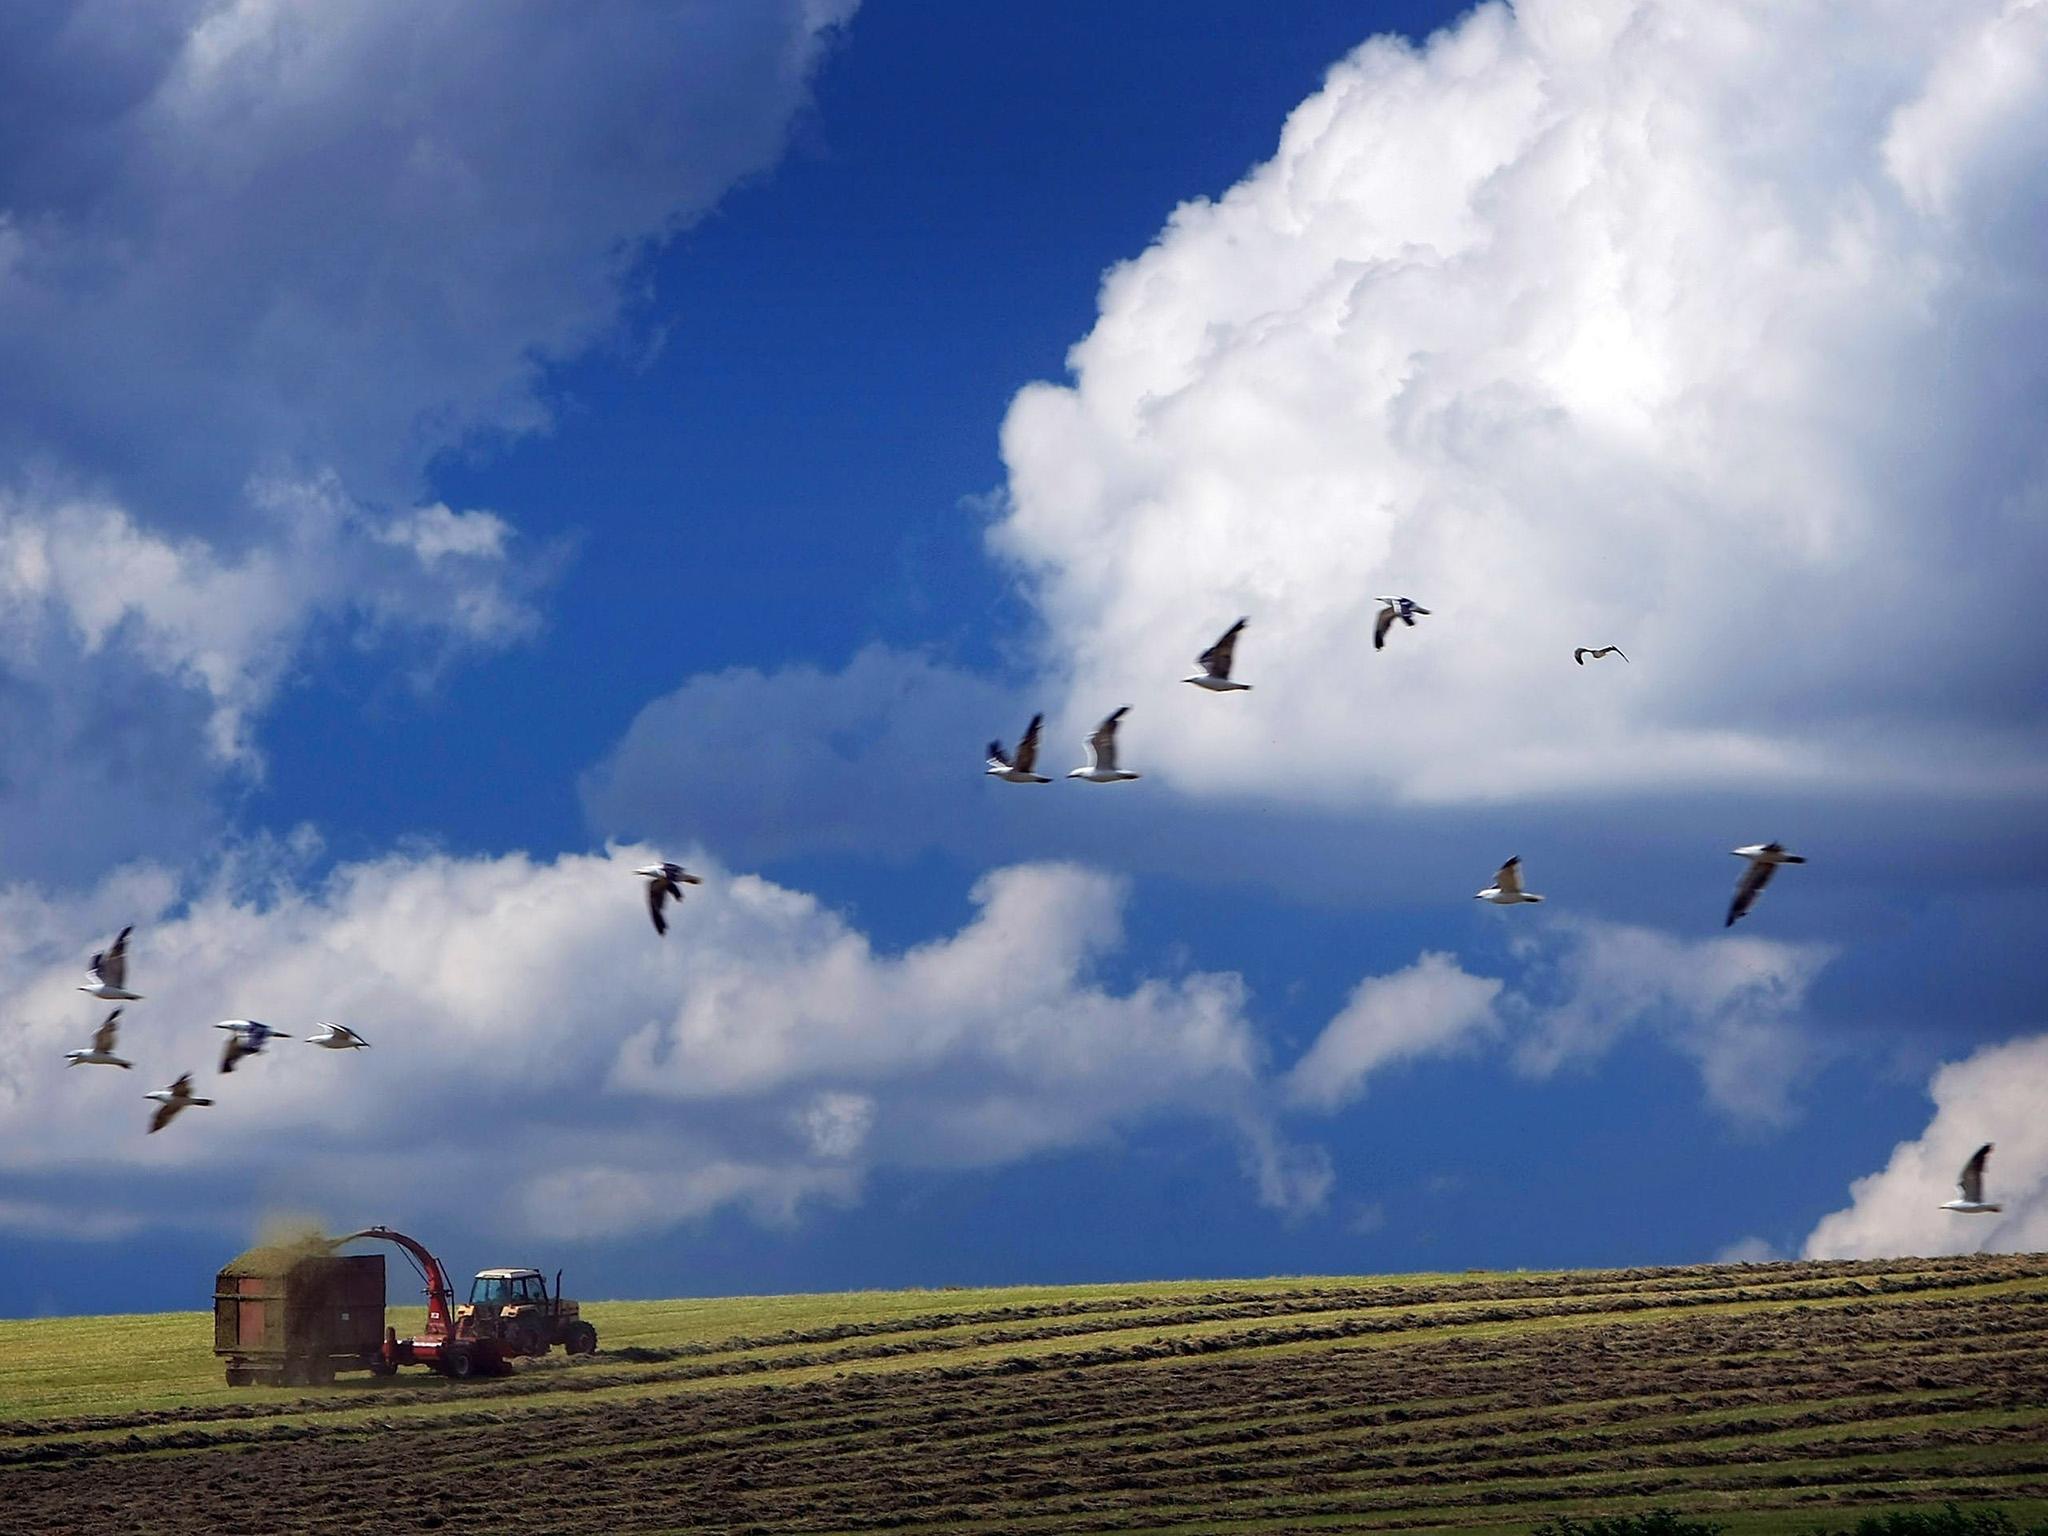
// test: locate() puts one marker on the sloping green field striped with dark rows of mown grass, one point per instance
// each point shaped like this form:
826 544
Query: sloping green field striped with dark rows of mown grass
1770 1398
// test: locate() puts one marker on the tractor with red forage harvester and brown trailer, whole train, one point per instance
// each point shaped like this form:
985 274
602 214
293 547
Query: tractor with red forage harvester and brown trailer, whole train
298 1316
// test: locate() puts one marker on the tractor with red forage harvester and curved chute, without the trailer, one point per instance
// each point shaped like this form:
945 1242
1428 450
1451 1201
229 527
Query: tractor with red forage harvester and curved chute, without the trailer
509 1314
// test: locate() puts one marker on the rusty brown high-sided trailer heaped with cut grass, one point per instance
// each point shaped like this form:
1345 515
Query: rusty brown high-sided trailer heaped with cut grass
296 1316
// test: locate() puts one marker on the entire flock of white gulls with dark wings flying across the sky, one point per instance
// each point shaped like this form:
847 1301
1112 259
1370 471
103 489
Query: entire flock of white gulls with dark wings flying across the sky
665 884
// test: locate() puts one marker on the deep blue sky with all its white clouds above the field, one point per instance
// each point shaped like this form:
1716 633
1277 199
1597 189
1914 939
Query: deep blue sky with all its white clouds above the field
703 441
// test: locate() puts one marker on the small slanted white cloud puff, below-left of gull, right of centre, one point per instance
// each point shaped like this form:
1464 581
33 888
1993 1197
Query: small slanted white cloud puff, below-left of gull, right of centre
1431 1009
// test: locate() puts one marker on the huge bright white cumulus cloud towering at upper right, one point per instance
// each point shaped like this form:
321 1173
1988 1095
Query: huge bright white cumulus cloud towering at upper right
1584 323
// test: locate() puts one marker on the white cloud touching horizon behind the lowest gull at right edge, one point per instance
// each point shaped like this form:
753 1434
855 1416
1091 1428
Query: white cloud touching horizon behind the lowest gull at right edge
1996 1097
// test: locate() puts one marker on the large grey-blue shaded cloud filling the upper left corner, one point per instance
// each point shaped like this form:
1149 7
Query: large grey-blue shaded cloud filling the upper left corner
263 261
